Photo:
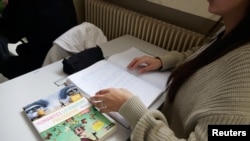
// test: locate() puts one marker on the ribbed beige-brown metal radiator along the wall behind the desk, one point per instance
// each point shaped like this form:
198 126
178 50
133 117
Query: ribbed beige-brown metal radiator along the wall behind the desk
116 21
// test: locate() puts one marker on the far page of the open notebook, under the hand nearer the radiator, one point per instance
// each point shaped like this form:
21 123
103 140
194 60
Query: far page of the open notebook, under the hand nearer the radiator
122 59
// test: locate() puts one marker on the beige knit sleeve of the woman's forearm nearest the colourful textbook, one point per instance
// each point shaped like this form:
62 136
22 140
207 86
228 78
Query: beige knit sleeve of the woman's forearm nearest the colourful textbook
147 125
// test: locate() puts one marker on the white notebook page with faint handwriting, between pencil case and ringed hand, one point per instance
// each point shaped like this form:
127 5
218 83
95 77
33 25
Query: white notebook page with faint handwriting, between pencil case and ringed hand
104 74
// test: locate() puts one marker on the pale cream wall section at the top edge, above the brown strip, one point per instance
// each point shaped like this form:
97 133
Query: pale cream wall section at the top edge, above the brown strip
196 7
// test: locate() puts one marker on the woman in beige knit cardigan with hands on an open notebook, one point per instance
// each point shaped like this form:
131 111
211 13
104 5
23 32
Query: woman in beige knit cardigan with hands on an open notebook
209 85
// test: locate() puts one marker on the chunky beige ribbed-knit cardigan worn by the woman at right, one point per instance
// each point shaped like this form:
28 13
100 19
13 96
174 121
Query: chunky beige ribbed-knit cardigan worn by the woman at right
218 93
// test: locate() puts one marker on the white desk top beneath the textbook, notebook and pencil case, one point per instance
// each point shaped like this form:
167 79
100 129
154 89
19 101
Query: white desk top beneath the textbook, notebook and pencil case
16 93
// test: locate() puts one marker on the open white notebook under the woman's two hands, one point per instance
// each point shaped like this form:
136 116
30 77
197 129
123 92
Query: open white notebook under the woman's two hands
113 72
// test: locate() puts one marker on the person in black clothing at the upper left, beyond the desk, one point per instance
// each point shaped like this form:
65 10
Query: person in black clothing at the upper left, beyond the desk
40 22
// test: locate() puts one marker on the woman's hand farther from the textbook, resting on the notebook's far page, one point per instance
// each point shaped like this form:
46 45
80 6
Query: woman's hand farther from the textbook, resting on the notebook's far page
145 64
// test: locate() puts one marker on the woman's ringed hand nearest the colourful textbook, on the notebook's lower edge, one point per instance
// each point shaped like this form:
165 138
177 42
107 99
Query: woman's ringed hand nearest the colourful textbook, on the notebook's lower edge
108 100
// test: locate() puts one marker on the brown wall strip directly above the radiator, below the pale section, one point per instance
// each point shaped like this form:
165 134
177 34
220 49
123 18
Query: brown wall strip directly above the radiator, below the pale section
169 14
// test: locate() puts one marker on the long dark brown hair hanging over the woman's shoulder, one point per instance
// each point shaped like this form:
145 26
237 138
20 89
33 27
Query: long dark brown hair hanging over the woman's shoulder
238 36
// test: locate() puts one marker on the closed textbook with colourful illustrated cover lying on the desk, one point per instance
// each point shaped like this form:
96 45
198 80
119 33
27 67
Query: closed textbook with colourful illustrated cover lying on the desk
68 116
